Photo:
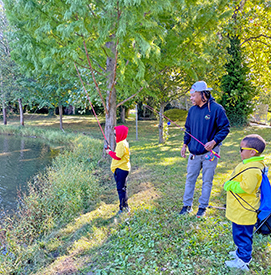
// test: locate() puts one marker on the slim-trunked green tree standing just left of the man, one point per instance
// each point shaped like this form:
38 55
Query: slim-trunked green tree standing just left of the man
189 52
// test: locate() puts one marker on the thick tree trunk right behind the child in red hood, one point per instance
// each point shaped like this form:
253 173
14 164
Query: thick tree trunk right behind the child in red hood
110 117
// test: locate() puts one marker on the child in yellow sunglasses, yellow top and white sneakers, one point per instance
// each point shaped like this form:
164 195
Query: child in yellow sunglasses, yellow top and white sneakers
243 191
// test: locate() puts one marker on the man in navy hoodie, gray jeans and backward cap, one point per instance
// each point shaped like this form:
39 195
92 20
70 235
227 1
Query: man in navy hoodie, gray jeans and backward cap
206 121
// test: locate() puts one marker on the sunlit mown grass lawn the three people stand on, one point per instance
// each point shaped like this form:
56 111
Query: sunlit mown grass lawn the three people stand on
153 239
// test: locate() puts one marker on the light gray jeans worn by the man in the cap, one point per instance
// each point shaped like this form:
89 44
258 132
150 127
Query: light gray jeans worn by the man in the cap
195 164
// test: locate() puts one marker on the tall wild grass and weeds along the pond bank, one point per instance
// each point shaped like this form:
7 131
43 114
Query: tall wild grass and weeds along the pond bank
67 189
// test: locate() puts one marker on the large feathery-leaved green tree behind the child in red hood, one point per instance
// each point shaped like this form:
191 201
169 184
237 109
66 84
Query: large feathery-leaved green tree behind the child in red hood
111 39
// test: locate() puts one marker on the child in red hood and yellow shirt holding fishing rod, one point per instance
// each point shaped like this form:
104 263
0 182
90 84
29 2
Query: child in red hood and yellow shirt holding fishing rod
120 165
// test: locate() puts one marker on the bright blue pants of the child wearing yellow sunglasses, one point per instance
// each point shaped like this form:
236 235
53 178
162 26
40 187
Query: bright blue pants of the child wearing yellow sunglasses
242 237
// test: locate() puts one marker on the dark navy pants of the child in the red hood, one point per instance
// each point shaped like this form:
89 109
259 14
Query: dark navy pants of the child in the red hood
121 181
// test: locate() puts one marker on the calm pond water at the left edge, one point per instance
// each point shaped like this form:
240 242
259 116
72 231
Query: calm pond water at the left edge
20 159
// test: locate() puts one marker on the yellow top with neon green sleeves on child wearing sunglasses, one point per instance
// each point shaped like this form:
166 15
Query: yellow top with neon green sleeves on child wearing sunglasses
246 185
